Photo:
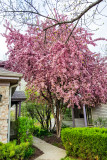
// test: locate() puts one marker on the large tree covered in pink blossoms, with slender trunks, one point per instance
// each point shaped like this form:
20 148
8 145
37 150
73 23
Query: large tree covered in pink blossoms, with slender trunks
62 71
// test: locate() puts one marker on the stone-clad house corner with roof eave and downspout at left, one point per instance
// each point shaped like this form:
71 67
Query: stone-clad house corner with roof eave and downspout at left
8 82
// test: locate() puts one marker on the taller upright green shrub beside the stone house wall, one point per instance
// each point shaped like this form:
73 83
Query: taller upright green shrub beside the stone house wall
25 129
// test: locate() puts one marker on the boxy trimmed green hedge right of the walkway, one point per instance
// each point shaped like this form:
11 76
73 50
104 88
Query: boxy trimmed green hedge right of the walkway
86 143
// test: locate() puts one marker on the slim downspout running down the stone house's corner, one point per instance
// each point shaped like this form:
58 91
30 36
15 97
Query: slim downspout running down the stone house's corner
10 95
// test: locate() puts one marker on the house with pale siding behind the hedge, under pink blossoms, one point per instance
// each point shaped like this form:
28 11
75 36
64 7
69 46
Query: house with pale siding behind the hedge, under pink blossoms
86 116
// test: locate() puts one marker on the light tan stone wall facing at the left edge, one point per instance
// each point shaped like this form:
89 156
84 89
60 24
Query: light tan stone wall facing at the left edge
4 105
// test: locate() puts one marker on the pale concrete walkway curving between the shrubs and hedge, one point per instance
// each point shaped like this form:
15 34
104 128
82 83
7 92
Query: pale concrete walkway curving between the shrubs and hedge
50 152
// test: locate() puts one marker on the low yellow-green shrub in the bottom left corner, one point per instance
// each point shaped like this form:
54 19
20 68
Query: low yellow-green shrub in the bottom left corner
11 151
